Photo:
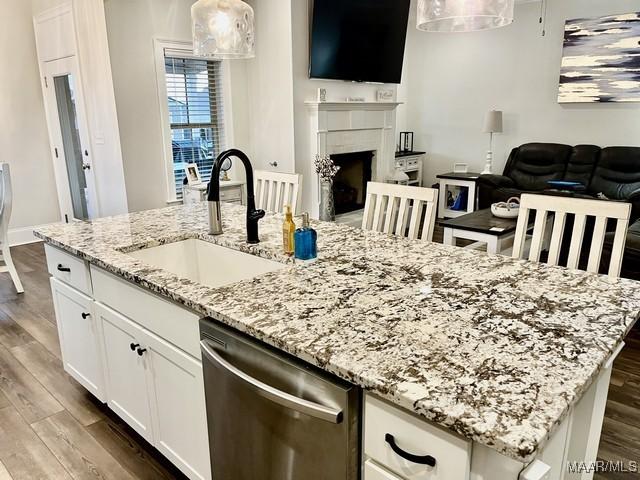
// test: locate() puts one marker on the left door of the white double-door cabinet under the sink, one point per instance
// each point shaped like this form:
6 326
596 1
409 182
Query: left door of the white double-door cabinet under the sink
125 370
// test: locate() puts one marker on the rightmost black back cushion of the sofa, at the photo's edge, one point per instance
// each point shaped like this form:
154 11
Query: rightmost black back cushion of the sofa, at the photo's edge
617 174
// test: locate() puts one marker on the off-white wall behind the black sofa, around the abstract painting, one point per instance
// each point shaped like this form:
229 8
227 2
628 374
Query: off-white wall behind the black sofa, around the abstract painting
451 80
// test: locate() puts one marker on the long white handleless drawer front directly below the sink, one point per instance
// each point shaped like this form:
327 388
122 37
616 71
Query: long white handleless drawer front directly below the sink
165 319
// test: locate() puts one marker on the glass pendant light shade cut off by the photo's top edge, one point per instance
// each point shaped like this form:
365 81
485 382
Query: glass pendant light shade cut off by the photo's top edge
463 15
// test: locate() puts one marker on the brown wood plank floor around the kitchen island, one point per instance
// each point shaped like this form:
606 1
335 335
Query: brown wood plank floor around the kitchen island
51 428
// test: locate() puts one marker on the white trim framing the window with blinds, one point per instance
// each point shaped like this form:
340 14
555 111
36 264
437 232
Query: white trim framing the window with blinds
159 46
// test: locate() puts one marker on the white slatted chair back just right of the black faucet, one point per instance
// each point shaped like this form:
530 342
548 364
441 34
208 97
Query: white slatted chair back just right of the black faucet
274 190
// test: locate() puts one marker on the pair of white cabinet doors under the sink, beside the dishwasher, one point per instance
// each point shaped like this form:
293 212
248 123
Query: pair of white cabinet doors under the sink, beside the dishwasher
158 390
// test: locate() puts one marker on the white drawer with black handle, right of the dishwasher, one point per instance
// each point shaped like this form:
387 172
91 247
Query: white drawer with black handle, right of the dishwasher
415 436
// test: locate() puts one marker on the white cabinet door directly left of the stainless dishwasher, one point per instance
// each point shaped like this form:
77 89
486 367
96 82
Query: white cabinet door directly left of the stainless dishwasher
176 390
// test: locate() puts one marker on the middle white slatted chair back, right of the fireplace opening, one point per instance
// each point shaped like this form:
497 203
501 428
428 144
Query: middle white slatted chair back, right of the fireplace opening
400 210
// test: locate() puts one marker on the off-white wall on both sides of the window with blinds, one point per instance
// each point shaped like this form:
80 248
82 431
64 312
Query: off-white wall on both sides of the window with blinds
132 26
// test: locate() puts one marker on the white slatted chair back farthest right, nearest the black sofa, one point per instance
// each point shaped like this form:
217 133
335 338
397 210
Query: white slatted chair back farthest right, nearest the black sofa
580 209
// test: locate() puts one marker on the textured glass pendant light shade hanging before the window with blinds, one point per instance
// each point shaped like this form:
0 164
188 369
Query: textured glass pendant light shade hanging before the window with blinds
223 29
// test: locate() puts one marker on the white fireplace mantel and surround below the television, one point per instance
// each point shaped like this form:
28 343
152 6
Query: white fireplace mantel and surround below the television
347 127
